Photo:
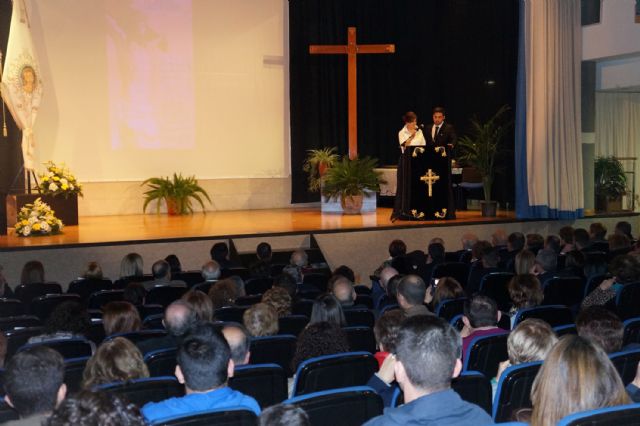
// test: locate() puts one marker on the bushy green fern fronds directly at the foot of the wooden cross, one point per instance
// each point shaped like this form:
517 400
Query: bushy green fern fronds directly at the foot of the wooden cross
349 178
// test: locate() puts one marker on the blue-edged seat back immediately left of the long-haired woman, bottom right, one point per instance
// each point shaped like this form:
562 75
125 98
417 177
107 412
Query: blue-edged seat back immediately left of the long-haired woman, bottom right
514 390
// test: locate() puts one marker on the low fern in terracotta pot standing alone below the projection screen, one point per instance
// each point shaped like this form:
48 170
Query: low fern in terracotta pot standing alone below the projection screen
177 193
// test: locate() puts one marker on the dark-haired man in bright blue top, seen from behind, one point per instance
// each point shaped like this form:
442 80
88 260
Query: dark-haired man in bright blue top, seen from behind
204 366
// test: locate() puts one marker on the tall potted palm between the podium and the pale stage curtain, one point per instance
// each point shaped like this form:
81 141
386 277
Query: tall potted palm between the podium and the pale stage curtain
484 146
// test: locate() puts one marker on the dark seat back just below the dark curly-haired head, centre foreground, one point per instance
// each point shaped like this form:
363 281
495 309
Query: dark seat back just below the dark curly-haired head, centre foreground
334 371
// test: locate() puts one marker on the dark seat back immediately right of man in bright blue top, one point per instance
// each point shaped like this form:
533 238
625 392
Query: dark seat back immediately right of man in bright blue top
266 383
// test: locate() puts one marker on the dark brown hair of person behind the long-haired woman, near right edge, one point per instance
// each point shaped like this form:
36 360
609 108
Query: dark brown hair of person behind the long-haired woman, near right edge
602 327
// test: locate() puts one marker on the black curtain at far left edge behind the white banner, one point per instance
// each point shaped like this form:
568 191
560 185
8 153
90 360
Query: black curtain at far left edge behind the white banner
10 148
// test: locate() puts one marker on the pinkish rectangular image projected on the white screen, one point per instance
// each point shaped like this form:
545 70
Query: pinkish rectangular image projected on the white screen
150 74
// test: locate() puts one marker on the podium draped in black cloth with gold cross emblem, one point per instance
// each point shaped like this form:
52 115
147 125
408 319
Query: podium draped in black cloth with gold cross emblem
424 190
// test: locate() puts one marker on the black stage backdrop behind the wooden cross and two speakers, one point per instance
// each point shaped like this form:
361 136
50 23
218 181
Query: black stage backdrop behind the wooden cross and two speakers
461 54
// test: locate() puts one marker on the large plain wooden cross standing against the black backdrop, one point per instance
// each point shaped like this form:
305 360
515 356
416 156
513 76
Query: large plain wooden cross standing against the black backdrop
352 49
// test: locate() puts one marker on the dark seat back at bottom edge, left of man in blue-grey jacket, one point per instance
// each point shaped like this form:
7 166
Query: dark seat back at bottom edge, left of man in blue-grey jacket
347 406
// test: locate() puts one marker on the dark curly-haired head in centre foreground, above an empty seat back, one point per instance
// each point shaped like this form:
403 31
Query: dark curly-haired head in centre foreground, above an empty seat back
317 339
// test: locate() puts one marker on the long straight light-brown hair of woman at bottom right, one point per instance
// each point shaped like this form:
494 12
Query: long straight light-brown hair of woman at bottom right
576 376
